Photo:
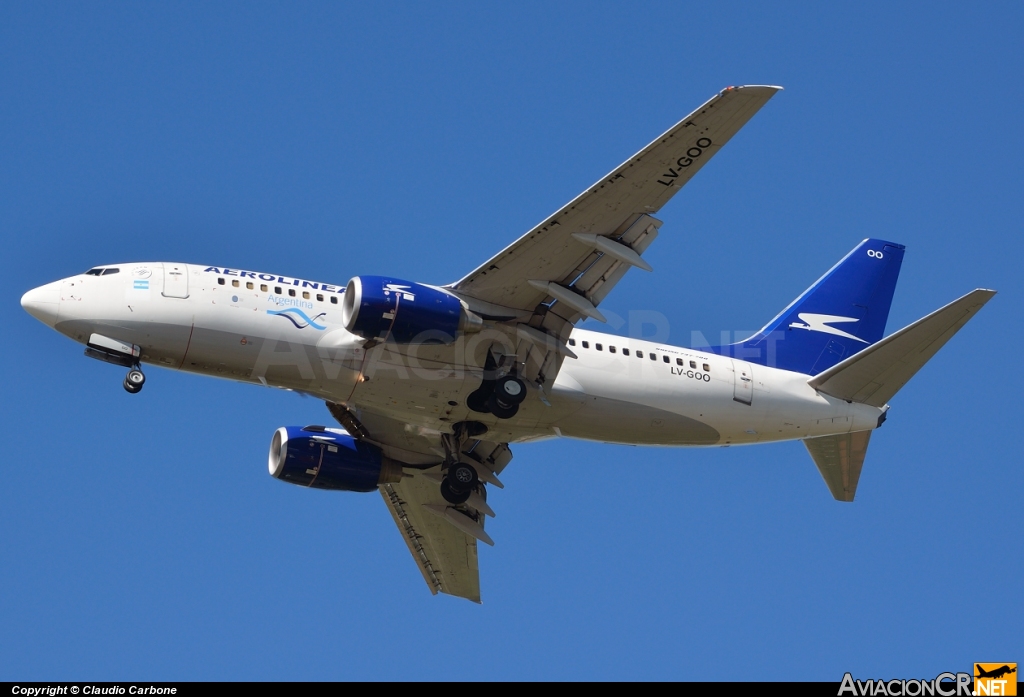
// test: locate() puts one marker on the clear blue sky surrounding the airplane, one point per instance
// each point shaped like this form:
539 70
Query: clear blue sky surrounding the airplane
142 536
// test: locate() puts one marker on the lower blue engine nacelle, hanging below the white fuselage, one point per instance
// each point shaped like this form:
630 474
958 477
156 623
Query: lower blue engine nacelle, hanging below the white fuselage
329 460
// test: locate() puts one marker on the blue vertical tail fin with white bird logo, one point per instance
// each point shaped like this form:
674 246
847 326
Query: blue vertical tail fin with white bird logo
842 314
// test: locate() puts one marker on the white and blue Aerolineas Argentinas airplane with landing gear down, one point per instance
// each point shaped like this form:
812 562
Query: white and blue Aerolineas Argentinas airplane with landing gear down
432 384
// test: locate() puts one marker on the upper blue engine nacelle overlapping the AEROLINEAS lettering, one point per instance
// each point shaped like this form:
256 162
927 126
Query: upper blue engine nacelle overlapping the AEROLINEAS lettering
377 308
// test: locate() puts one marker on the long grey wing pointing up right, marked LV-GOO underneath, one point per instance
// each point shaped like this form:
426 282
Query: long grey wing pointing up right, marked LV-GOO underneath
578 254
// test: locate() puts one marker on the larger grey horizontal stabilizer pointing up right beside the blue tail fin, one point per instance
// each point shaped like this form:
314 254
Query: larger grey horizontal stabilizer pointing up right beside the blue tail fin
875 375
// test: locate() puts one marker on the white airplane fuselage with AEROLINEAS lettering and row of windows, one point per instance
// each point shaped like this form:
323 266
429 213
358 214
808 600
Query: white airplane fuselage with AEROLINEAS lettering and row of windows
287 333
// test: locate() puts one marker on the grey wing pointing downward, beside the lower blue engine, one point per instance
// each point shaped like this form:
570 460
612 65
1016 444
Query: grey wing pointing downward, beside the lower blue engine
446 556
